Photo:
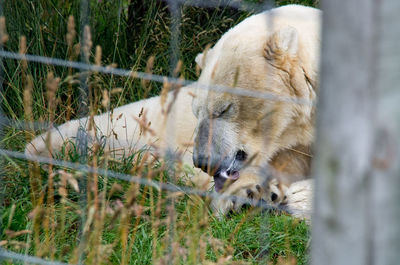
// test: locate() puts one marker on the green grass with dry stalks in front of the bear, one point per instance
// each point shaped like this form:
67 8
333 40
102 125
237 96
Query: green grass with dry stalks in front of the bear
242 236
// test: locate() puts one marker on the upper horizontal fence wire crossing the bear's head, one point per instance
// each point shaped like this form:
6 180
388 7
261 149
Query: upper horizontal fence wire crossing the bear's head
151 77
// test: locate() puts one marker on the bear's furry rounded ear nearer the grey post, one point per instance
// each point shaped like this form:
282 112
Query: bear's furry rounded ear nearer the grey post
282 42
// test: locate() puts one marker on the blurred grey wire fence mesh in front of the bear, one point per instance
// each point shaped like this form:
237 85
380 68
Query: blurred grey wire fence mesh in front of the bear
86 68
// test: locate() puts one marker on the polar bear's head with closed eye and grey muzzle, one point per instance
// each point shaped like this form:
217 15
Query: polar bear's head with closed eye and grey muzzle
272 73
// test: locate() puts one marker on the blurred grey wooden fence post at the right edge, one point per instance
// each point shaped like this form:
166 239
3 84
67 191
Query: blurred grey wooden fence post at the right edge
357 165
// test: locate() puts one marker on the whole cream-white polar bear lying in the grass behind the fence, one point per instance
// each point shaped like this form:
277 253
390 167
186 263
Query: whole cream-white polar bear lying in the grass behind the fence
251 146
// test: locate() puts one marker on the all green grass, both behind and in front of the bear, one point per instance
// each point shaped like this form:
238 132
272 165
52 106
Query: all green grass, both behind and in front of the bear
55 222
